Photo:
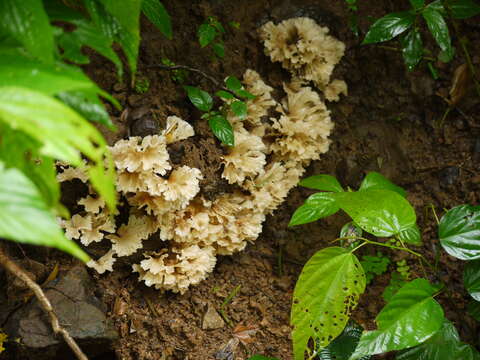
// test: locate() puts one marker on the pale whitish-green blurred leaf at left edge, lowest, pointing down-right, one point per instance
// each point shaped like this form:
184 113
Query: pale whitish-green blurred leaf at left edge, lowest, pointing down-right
25 218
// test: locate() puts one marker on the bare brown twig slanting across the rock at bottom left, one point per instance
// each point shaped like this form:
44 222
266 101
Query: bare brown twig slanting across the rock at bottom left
17 271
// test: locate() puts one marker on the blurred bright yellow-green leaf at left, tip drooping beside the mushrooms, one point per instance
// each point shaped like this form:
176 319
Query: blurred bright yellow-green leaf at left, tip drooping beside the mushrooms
63 133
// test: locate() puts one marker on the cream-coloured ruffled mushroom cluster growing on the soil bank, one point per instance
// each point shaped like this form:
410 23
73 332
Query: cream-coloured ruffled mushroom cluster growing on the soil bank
268 159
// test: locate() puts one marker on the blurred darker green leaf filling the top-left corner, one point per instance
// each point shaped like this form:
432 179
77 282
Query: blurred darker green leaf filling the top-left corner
28 23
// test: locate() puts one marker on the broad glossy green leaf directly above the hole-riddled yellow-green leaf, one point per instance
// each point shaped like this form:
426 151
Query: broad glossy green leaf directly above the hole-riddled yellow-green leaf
382 213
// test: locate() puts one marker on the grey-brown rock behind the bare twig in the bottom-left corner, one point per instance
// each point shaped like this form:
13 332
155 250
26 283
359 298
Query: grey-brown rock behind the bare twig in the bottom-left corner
79 311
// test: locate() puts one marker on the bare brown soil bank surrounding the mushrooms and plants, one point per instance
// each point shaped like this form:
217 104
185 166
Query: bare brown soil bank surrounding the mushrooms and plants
388 123
